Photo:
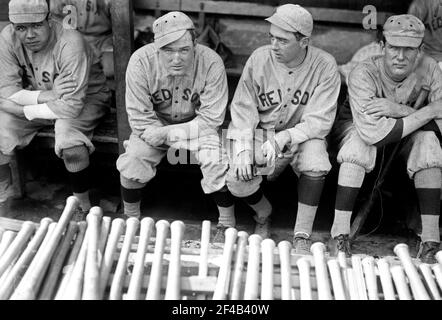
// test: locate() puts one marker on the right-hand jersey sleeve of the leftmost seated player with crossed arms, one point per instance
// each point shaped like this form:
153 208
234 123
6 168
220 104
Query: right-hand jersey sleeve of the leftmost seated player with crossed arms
76 58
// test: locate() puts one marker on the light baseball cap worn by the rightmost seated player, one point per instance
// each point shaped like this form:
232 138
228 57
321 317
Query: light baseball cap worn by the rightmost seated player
404 30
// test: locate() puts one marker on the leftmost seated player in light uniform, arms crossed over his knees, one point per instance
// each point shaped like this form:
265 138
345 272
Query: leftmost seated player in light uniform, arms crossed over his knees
48 78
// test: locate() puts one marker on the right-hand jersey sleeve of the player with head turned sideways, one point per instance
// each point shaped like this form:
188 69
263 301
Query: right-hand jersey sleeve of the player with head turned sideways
320 112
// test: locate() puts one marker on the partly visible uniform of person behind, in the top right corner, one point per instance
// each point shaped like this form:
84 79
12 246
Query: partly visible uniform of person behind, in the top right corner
430 12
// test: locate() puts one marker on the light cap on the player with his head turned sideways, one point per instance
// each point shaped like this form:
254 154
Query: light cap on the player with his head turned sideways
293 18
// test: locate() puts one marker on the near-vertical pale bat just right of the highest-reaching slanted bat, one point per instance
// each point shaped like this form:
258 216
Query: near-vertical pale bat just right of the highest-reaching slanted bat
91 285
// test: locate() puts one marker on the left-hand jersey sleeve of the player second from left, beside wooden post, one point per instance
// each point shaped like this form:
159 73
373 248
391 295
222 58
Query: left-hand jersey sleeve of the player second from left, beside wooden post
139 106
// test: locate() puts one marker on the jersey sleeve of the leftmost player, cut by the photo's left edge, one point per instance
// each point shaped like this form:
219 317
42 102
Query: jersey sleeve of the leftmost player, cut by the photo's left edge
11 80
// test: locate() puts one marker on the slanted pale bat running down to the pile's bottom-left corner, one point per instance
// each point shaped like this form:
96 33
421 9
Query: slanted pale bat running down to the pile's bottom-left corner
7 286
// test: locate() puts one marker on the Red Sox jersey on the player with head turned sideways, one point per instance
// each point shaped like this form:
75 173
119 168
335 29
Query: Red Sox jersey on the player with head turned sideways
272 96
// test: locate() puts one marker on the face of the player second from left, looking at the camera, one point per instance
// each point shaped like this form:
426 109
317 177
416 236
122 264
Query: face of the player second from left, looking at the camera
178 55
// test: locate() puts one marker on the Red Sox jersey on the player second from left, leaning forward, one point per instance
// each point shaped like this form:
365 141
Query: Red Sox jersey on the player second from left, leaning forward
155 98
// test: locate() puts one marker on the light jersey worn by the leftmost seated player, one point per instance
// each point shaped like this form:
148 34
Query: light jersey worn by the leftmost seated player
66 51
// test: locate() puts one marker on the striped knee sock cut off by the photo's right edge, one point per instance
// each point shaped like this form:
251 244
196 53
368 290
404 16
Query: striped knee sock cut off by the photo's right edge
427 184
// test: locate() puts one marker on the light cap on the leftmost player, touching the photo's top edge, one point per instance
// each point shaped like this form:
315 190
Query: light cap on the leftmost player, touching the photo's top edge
27 11
